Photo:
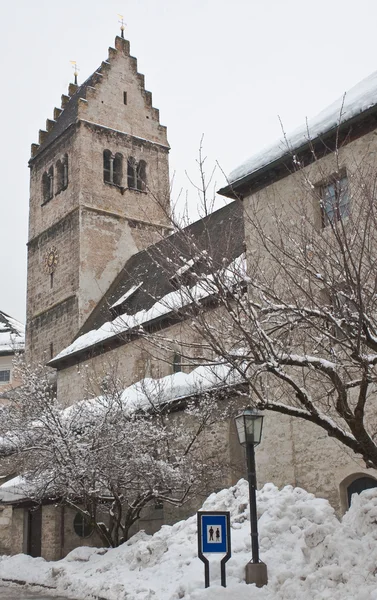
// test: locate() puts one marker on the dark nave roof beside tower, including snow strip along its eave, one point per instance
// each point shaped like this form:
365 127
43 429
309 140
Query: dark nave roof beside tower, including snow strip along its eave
144 291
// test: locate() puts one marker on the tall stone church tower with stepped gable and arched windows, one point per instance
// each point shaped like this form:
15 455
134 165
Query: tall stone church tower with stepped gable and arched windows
99 193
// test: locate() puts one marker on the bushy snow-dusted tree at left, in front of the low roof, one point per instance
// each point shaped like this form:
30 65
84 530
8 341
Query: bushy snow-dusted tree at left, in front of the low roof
112 455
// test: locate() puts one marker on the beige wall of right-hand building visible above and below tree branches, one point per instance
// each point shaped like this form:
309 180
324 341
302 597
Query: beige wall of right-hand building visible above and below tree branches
294 451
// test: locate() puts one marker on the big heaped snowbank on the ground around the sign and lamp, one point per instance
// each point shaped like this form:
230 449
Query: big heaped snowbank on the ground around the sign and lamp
309 553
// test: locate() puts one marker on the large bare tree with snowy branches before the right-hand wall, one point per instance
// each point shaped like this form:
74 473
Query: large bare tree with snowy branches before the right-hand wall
296 316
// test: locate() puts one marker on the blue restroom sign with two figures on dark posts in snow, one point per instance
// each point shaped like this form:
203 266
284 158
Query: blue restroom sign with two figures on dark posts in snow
214 538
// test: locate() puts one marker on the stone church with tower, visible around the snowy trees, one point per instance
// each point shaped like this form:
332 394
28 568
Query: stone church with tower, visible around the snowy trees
99 249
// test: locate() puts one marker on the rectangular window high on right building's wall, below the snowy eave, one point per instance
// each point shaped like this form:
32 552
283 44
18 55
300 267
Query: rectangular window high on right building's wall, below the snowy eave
335 200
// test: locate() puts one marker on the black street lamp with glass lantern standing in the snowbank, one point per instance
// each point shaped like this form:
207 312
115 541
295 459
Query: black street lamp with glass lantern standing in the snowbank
249 429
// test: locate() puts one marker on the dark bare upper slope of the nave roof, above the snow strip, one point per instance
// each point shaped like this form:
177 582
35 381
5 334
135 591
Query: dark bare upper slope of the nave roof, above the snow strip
220 234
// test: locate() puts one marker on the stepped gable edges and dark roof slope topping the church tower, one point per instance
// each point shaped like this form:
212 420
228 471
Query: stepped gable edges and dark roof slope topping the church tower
68 114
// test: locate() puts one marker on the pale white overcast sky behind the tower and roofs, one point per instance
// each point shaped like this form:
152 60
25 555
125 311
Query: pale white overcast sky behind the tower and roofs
225 69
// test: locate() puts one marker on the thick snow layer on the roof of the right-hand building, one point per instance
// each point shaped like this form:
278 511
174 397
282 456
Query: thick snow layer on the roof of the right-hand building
358 99
